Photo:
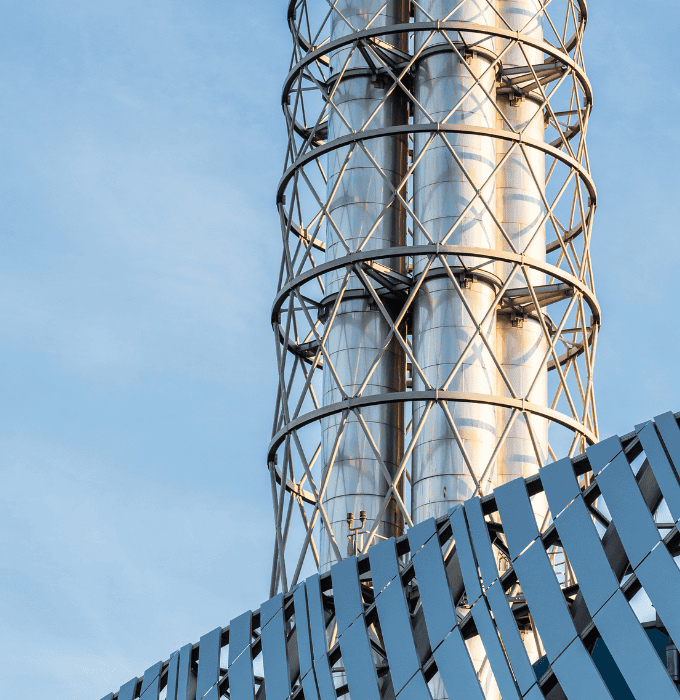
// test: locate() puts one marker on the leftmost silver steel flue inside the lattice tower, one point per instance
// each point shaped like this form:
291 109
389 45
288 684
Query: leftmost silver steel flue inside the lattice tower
358 195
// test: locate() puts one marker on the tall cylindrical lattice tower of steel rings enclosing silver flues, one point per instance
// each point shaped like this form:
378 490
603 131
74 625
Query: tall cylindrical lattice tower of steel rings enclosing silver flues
436 197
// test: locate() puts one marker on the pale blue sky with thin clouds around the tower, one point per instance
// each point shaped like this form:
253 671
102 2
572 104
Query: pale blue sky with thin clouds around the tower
141 145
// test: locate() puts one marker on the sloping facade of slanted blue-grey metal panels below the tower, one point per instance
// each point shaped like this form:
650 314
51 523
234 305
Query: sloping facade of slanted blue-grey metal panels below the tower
431 615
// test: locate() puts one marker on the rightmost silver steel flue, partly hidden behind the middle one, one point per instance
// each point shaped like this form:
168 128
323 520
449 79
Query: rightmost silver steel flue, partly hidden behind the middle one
521 212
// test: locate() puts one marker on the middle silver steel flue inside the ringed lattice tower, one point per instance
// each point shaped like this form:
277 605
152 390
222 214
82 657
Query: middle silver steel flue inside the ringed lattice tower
456 90
